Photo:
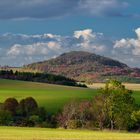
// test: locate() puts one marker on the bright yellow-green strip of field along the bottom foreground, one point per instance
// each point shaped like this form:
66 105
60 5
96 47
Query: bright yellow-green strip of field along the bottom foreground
13 133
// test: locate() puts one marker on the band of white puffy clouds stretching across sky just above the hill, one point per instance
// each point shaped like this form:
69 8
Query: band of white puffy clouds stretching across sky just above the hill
20 49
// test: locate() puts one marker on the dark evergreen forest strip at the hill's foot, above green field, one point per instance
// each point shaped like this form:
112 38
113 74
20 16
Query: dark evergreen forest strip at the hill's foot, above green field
39 77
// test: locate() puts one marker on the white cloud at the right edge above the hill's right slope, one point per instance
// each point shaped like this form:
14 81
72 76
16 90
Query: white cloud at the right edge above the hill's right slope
128 49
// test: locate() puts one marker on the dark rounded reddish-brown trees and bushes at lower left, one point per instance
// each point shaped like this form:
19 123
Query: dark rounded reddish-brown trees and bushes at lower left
24 113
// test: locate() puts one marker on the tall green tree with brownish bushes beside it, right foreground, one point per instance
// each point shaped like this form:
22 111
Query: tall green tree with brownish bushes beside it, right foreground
113 108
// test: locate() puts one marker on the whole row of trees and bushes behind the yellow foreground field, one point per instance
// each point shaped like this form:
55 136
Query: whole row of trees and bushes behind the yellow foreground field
113 108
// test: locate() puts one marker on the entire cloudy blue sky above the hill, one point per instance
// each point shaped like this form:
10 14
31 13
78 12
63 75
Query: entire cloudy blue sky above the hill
37 30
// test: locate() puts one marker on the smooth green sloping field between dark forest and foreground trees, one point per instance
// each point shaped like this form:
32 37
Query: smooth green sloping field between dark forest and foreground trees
52 97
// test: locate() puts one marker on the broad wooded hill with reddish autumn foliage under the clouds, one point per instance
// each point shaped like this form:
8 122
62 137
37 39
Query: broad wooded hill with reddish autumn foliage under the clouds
87 67
